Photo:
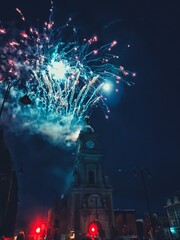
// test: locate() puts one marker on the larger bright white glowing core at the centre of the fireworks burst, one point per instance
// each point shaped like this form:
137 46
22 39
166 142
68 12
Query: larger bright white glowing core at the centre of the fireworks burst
58 69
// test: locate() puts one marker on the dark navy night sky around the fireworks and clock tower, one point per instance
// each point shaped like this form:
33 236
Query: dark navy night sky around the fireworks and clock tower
143 128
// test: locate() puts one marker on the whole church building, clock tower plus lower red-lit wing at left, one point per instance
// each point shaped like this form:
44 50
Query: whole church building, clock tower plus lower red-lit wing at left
87 208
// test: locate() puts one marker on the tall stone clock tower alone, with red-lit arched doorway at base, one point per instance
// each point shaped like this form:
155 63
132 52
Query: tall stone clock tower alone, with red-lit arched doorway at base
91 208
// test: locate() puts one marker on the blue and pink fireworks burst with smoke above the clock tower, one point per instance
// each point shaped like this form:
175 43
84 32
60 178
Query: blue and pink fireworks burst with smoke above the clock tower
64 80
